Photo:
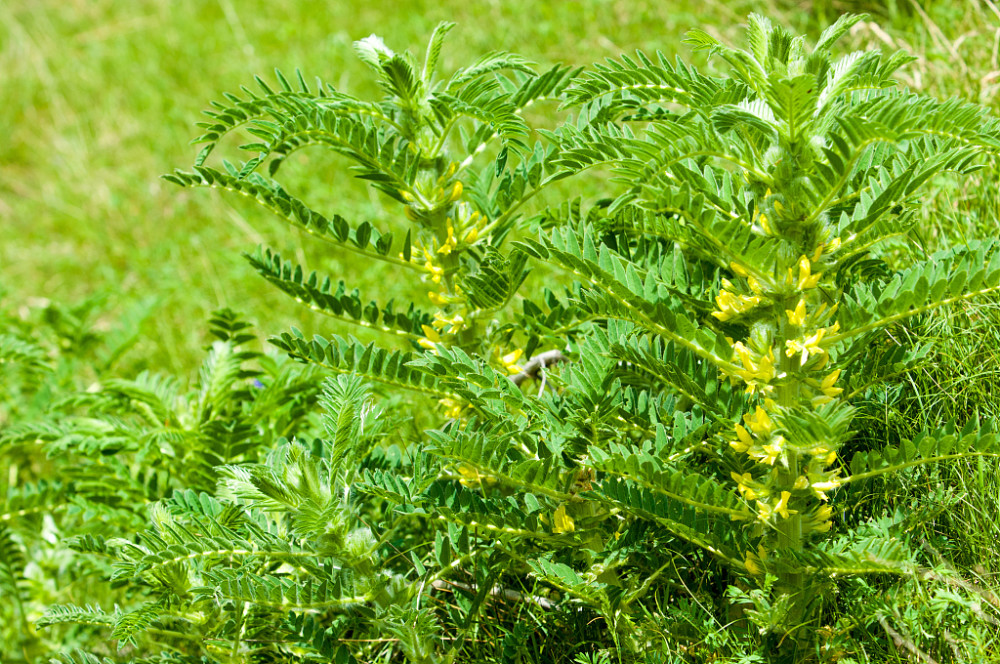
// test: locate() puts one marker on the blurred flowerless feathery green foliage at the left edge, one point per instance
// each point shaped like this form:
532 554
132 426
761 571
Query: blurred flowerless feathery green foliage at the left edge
88 465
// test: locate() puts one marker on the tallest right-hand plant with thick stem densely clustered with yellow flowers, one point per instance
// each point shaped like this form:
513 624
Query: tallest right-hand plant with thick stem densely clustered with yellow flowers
789 177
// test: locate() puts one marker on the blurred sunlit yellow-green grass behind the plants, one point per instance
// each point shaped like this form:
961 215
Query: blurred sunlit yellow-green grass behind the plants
100 97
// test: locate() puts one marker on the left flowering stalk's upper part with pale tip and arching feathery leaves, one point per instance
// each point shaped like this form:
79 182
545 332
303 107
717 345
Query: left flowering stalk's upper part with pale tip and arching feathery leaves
404 146
